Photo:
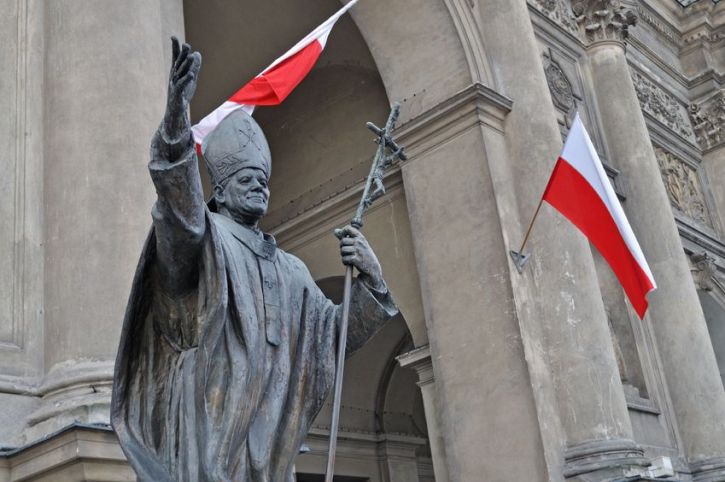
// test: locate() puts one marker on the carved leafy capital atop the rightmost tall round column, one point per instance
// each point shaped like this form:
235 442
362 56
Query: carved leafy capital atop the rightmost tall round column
603 19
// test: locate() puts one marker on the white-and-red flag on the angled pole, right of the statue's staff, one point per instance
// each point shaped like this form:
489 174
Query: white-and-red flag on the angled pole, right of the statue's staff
580 190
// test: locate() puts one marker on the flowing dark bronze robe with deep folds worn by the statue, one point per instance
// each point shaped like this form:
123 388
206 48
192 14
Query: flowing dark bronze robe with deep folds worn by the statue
227 351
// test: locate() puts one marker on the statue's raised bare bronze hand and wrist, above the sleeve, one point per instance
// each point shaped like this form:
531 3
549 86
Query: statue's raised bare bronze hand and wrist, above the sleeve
185 65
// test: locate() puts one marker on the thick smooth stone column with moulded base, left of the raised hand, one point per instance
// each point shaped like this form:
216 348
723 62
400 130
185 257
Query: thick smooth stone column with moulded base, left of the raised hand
105 85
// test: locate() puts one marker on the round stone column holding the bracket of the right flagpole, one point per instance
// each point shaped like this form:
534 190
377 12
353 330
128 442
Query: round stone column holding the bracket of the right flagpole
558 303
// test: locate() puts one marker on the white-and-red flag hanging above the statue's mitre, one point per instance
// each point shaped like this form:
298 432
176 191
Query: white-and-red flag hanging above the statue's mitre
276 82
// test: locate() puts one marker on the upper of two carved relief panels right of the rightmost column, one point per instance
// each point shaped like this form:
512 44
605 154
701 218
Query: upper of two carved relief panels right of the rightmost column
662 106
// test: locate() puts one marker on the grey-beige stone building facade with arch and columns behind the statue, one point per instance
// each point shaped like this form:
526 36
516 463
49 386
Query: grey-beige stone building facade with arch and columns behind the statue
488 374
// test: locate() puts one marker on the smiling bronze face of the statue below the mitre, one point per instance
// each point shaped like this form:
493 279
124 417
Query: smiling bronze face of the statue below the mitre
245 194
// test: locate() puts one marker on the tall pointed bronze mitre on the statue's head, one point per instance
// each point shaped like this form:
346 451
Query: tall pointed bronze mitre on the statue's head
237 142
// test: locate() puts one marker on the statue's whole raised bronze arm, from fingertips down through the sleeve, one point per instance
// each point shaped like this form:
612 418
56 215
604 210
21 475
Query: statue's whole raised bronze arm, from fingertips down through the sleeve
178 214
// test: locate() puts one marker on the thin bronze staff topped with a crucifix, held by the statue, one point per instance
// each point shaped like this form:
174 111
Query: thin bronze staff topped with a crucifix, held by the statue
387 152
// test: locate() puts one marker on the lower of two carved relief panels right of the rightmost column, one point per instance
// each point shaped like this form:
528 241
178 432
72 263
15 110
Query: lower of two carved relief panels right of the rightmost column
683 186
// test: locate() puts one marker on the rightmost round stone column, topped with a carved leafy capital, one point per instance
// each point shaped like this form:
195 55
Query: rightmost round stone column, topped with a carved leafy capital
684 345
